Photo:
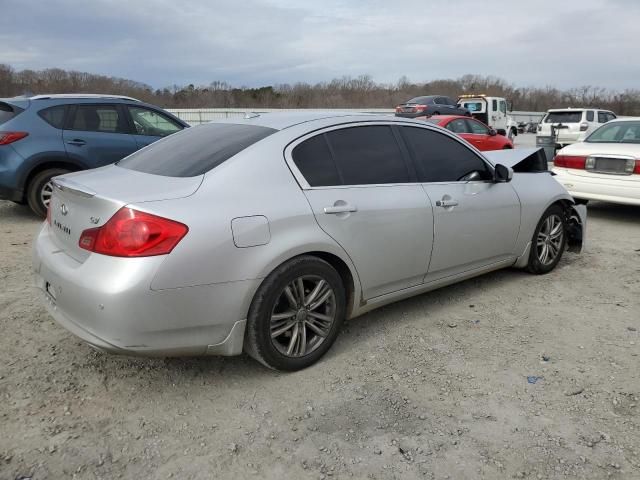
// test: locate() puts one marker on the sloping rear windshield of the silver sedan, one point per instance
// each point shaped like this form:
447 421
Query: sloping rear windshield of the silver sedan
195 150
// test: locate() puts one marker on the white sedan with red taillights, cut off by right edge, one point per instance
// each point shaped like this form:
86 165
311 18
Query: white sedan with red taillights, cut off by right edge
606 166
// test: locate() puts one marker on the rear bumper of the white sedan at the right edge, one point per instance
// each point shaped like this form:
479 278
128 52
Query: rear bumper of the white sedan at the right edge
606 188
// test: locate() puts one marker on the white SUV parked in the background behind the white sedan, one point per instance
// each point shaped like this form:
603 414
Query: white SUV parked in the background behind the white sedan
575 123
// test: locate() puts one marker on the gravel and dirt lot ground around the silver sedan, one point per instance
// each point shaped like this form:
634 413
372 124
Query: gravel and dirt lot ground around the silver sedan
432 387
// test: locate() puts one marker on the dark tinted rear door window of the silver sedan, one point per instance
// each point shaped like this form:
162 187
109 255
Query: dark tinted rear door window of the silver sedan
368 155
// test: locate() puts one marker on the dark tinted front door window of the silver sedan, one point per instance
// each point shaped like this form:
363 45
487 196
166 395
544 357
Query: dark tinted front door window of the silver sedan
440 158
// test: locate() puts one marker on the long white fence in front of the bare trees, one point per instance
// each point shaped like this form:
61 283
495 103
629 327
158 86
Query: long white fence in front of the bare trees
196 116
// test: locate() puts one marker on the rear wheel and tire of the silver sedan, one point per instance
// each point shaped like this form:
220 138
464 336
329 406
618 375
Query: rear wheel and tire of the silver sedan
272 302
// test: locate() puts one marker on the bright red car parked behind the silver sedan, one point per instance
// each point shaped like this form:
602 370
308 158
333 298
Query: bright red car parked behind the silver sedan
473 131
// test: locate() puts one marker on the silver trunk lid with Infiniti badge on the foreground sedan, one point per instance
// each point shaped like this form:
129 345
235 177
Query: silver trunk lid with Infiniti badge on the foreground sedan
88 199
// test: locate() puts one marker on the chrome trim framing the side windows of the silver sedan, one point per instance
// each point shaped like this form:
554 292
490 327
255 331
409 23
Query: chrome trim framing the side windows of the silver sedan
304 185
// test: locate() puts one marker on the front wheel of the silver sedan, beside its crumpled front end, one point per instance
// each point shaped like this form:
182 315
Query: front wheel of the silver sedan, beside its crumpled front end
544 239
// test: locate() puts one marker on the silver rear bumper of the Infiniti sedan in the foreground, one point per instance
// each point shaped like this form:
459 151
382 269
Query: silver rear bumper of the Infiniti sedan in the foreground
108 303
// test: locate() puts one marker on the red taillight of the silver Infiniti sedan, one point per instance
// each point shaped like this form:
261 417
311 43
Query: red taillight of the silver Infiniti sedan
131 233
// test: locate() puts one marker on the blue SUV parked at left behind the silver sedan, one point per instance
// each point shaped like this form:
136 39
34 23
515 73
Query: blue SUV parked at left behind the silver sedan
48 135
